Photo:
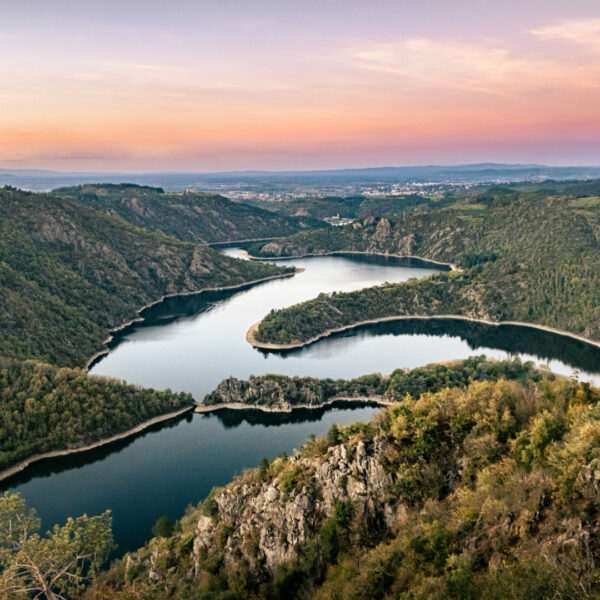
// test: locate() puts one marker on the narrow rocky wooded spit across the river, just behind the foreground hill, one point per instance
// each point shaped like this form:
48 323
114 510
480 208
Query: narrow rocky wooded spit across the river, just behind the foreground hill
282 393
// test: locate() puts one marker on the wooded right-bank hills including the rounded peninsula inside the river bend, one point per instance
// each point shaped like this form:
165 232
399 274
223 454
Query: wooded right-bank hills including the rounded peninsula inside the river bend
523 256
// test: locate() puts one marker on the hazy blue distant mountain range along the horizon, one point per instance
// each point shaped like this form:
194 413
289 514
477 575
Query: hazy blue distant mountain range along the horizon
45 180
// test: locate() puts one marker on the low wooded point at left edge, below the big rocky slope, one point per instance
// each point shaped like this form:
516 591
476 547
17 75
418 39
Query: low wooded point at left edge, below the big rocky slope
45 408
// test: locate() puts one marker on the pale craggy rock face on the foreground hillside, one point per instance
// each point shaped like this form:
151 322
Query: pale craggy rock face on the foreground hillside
278 516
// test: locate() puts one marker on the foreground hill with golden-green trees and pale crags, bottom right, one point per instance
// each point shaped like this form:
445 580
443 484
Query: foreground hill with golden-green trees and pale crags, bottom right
484 492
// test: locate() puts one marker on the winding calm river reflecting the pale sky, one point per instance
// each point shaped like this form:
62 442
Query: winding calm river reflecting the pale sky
191 344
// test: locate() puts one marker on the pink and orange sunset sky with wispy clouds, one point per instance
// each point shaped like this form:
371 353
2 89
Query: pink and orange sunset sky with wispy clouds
149 85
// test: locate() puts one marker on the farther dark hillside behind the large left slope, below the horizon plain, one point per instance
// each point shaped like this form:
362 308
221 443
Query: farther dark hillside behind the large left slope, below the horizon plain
192 217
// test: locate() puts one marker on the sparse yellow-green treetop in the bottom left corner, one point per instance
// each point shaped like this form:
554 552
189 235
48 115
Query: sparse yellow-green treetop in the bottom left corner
54 566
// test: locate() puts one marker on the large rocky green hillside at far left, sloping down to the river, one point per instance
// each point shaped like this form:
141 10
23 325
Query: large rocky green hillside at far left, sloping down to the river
69 273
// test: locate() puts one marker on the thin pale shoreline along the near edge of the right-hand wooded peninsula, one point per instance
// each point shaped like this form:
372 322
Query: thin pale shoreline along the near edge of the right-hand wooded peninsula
251 333
